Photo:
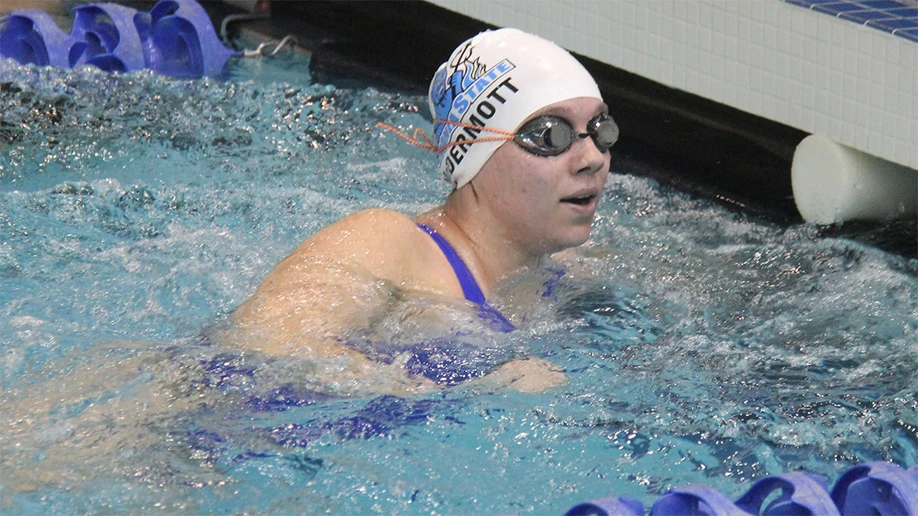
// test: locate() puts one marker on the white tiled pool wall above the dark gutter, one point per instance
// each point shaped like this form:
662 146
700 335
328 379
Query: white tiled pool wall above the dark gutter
809 70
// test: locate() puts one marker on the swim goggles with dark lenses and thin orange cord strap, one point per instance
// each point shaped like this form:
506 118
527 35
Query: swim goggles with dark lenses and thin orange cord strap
545 136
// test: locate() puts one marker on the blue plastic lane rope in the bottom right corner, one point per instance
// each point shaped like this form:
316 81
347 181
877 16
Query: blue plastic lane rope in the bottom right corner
875 488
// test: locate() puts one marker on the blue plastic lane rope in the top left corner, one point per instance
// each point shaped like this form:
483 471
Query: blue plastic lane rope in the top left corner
175 38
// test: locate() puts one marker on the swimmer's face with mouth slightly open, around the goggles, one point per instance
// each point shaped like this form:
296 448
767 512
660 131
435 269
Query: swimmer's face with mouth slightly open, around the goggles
547 203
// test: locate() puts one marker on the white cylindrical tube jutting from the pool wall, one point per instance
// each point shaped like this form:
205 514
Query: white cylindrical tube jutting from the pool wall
834 183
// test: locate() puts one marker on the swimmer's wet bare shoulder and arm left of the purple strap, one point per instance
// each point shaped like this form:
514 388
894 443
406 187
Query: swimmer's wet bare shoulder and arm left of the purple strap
337 282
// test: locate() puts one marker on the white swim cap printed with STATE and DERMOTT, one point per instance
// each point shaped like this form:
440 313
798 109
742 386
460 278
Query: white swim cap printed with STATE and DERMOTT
497 79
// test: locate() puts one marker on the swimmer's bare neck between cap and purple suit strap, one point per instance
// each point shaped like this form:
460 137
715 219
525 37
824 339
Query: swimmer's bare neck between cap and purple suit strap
484 244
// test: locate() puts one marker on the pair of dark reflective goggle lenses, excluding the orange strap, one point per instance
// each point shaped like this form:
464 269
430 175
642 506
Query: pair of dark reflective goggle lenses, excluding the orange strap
551 135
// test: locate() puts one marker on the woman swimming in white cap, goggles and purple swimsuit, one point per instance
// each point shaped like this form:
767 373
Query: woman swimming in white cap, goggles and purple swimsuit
522 132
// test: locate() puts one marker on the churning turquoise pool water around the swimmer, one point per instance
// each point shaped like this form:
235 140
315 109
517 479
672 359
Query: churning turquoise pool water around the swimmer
701 345
